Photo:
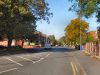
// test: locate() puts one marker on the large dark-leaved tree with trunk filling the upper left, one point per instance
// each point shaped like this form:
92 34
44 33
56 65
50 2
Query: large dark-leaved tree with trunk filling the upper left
18 17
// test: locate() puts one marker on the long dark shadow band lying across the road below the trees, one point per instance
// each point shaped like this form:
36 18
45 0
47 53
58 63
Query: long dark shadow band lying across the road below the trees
34 50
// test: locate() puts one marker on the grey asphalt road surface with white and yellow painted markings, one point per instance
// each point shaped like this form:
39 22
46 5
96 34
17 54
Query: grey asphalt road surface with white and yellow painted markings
57 61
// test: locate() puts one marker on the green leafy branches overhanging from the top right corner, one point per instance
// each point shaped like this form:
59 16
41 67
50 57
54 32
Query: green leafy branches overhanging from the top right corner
86 8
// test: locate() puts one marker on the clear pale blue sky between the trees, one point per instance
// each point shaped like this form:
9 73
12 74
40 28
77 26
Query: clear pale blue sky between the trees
61 18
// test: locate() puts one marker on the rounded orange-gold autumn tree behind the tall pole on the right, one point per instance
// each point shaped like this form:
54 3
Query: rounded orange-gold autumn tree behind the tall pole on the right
73 31
